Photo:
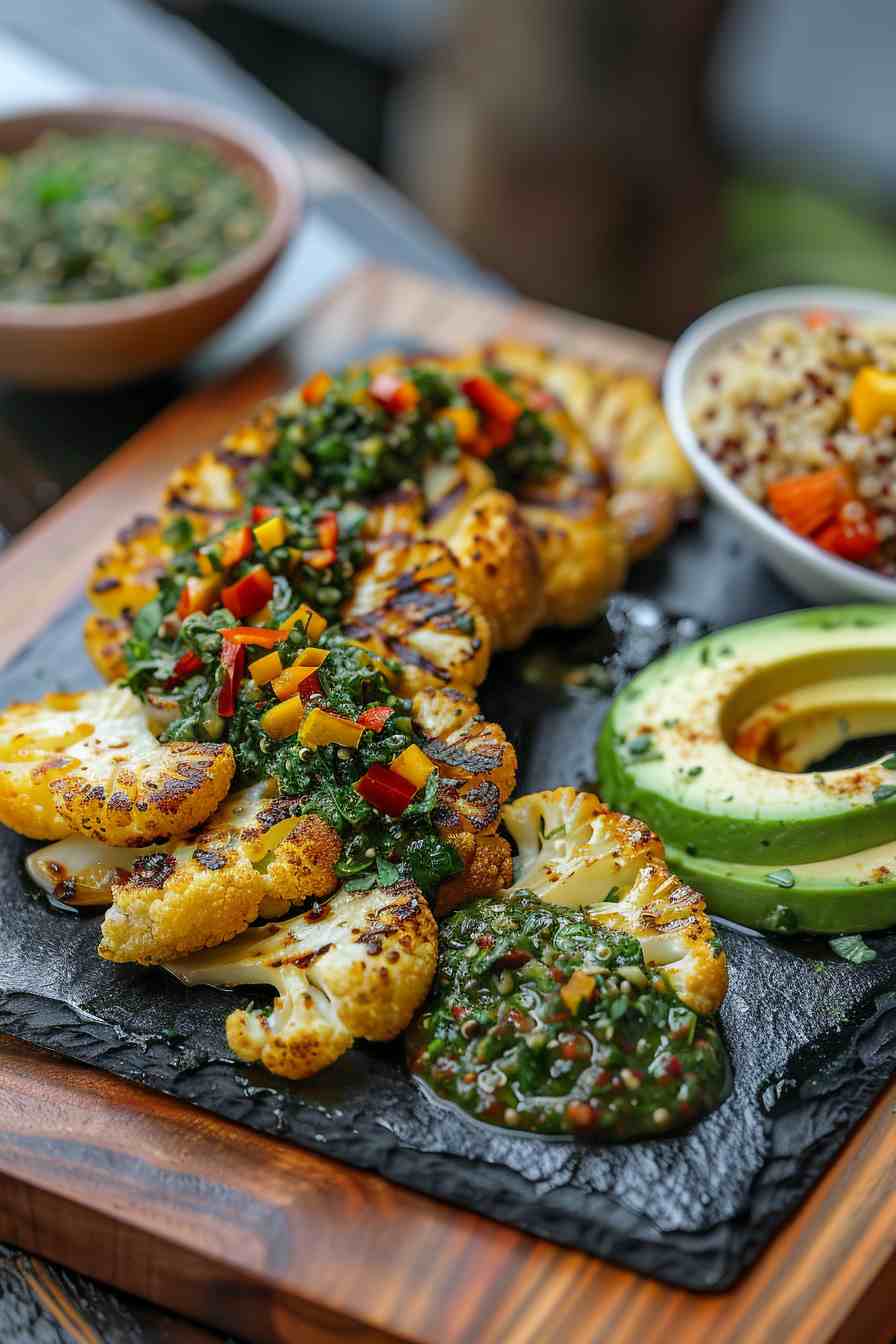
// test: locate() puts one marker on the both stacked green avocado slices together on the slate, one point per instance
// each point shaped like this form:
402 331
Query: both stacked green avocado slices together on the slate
713 747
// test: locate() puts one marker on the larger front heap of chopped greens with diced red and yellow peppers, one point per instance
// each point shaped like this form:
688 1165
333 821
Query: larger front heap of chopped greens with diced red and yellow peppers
206 673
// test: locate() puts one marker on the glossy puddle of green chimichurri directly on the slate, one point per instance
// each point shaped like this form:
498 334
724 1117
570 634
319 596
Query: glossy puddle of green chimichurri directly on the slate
542 1021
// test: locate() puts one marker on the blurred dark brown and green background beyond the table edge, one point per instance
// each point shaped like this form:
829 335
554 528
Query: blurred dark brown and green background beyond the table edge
636 162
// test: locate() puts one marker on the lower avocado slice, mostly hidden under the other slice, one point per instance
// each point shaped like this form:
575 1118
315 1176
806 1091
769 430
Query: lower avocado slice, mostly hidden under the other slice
852 894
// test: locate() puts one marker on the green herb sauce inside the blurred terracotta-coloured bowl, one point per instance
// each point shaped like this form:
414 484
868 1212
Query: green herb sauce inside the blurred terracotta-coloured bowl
107 216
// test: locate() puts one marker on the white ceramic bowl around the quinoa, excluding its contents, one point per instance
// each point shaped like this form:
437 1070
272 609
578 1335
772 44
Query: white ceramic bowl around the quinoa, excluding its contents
813 573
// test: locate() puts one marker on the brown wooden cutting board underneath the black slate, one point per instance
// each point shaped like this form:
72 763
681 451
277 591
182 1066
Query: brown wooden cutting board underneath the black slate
269 1243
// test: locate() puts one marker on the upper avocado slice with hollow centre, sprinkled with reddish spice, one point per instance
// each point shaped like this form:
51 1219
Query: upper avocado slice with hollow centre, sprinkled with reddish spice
667 752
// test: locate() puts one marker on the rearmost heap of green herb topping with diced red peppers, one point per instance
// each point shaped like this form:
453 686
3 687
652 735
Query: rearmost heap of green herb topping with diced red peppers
355 436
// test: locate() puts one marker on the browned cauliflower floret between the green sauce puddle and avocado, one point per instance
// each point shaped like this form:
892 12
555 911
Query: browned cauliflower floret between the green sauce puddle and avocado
574 851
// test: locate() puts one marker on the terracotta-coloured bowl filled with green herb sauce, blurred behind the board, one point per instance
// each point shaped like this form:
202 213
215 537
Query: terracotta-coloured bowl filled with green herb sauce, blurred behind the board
130 233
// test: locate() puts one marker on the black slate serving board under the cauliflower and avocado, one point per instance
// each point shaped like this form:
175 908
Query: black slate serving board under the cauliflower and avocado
812 1040
